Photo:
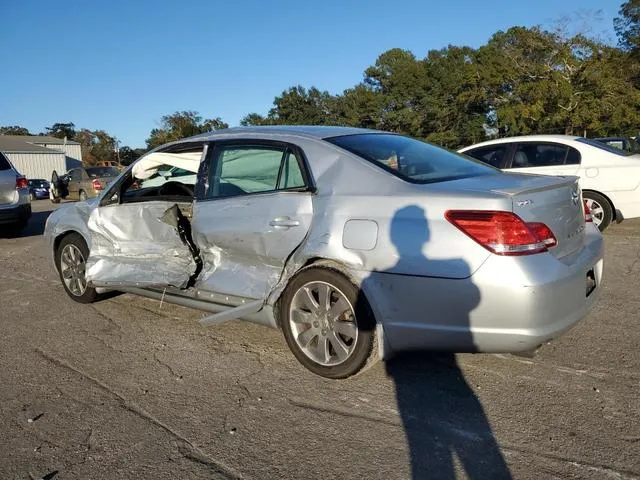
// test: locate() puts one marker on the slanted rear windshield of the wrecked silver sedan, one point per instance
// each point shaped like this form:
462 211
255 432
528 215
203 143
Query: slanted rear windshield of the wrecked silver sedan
410 159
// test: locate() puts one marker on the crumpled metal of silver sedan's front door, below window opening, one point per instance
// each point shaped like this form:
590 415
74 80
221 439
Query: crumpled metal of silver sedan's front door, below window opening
132 246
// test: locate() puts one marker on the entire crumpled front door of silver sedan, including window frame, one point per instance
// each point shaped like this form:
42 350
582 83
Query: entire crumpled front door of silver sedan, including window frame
140 235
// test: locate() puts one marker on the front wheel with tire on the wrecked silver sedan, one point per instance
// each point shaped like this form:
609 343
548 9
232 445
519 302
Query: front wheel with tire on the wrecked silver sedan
71 257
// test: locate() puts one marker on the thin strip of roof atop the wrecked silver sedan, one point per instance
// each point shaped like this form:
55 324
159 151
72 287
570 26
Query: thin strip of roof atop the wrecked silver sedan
314 131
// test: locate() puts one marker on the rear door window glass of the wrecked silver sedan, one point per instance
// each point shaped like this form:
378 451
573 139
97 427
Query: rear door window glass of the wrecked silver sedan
241 169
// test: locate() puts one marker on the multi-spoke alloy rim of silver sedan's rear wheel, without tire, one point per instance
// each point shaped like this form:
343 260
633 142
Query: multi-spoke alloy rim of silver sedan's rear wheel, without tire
323 323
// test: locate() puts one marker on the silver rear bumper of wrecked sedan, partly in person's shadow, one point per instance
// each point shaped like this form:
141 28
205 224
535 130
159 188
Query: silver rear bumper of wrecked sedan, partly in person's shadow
510 304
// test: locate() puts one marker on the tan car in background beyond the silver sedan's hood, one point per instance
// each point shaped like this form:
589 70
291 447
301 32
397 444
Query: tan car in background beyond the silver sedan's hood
82 183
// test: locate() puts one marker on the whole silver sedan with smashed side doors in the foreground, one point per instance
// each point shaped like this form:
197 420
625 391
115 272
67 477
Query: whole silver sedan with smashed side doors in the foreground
356 243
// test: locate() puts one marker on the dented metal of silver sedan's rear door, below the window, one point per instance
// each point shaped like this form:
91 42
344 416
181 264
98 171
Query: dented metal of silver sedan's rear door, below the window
244 243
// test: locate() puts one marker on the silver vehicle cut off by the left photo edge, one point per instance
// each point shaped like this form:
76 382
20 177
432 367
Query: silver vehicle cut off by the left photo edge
15 205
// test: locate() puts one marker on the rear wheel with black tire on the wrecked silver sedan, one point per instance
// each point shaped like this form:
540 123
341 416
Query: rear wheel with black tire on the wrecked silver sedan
327 323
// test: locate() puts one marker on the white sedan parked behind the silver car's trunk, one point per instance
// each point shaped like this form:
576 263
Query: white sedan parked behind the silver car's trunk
609 177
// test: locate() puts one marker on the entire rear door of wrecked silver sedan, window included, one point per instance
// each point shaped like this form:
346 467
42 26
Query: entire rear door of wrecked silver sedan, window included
253 209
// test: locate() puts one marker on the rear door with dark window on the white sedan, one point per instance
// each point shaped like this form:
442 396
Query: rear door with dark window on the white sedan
544 158
